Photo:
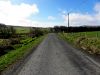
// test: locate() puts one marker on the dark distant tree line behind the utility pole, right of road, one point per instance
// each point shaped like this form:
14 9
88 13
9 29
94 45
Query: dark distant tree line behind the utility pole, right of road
76 29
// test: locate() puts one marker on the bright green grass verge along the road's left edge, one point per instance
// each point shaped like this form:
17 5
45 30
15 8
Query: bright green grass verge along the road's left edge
15 55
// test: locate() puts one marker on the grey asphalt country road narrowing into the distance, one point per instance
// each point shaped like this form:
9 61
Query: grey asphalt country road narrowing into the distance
56 57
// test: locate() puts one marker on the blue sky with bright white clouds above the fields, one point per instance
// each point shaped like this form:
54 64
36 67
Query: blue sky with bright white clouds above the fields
47 13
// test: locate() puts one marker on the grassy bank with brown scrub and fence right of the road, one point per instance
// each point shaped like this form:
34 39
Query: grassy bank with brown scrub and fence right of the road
88 41
